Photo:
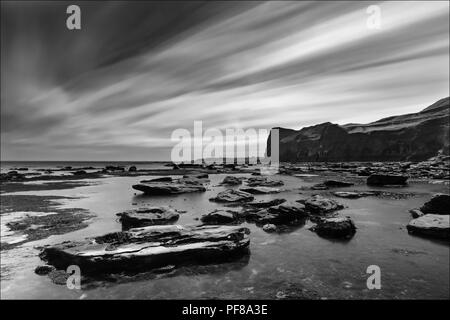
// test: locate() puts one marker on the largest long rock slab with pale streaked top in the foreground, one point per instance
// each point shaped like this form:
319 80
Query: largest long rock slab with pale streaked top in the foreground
142 249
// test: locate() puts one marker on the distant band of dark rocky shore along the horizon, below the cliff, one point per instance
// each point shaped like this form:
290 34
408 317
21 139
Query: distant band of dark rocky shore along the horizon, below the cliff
435 168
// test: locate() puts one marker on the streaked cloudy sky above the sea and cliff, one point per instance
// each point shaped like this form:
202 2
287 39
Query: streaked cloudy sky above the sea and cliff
136 71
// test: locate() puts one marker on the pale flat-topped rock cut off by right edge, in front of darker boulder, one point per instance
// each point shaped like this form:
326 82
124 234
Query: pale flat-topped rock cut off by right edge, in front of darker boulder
431 225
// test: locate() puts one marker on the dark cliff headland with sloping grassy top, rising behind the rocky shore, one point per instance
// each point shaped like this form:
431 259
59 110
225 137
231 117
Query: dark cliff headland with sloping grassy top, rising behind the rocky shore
409 137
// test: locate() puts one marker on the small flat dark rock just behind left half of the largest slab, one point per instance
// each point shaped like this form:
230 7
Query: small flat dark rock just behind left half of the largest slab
147 216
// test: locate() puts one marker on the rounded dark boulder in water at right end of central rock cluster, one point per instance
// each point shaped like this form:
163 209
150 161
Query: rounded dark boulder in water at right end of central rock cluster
337 227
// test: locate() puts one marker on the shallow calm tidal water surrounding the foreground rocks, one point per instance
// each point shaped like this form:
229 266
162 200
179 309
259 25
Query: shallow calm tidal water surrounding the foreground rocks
411 267
